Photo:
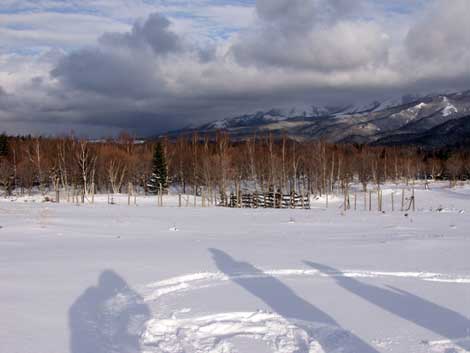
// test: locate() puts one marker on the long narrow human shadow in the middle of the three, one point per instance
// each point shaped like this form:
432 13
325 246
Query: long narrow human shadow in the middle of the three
284 301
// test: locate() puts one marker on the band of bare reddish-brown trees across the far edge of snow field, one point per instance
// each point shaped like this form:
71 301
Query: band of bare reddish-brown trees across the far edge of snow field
217 165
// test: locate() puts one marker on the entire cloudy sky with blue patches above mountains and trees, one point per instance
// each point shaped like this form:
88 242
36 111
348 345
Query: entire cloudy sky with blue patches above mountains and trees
99 67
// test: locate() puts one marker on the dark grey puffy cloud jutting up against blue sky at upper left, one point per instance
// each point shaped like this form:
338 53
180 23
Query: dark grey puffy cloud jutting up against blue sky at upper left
123 64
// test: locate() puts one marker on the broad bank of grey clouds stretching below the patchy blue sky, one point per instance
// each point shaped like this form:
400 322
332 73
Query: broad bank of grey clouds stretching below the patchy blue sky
299 52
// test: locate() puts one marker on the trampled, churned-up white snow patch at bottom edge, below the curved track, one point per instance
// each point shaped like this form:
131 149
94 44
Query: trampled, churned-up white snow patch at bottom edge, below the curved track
213 333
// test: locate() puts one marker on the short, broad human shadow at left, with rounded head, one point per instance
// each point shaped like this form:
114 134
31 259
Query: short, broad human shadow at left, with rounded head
107 318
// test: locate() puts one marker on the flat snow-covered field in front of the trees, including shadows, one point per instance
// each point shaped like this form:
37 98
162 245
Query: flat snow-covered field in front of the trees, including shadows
124 279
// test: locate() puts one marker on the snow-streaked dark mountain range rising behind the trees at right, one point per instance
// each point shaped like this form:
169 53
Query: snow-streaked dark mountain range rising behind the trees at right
391 121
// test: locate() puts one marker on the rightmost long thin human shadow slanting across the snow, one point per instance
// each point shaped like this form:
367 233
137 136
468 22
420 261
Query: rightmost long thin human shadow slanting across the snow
440 320
